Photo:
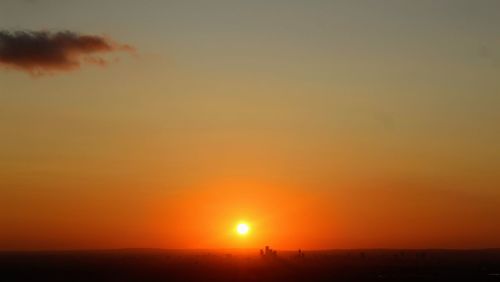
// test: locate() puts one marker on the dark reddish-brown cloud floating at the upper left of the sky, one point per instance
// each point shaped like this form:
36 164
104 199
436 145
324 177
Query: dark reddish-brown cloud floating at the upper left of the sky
43 52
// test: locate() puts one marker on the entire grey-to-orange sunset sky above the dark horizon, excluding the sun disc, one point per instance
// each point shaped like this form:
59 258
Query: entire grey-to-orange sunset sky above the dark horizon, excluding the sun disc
322 124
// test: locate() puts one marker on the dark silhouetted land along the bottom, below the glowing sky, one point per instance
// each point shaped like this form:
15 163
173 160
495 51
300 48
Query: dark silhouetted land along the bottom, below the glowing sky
158 265
